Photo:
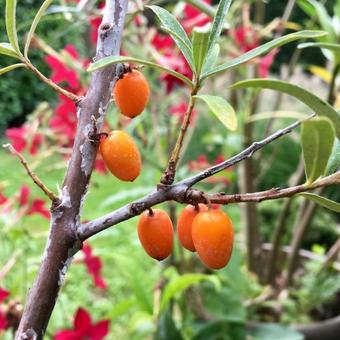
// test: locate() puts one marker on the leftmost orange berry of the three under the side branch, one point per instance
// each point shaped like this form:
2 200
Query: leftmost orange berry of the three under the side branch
156 234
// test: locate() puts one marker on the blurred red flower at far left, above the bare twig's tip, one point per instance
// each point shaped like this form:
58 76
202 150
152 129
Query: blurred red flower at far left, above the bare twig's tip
19 136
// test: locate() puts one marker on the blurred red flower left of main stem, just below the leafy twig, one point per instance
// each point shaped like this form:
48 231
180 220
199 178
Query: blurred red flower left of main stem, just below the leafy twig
64 121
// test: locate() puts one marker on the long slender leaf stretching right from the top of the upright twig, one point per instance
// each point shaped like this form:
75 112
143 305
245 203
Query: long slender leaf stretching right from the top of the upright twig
265 48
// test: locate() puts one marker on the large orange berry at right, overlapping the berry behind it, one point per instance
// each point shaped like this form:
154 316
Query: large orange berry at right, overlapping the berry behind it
213 236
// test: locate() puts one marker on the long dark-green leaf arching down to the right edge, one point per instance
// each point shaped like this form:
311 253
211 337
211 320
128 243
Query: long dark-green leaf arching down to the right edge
316 104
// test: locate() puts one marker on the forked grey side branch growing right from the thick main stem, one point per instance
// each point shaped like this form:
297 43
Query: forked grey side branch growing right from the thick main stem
182 193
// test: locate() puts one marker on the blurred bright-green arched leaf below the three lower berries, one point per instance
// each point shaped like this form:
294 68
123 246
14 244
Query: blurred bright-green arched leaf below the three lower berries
181 283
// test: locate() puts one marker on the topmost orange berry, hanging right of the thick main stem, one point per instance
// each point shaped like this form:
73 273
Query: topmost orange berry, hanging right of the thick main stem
131 93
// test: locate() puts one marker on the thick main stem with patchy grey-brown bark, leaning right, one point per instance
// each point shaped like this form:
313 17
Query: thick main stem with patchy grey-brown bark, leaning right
63 241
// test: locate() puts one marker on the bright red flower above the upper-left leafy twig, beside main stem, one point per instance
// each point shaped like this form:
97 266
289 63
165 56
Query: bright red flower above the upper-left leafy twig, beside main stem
61 72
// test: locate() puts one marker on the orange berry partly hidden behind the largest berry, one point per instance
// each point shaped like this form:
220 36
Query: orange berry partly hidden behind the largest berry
184 225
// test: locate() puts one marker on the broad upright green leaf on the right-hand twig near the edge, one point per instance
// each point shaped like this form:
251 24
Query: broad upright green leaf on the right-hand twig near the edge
317 138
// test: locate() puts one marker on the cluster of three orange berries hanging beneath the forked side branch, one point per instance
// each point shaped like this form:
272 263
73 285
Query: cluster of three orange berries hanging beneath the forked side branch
199 228
